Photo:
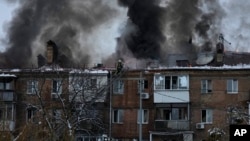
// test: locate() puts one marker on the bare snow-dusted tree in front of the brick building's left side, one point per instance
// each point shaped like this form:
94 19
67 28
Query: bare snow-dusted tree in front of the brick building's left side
64 103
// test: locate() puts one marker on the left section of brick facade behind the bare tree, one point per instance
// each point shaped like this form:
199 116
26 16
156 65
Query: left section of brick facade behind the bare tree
37 103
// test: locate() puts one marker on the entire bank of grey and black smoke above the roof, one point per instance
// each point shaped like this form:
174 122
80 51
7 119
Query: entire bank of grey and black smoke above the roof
153 29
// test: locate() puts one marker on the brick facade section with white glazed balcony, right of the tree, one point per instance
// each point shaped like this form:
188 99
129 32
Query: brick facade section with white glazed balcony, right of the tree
185 103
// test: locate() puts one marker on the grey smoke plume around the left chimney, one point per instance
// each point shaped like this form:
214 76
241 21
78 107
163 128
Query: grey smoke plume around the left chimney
71 24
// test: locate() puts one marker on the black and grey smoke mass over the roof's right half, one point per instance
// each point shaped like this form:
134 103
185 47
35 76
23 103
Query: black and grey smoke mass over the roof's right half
157 28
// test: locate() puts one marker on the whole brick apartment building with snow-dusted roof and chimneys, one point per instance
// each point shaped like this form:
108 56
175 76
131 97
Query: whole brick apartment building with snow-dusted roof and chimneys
184 101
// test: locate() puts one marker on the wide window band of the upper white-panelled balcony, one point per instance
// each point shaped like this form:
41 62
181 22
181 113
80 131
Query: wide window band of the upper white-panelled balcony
177 82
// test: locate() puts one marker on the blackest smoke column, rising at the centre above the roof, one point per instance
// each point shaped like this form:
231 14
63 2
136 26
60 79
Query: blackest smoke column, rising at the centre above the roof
145 41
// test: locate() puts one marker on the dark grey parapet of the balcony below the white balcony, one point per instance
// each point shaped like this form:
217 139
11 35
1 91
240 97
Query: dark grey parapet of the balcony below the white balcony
164 125
